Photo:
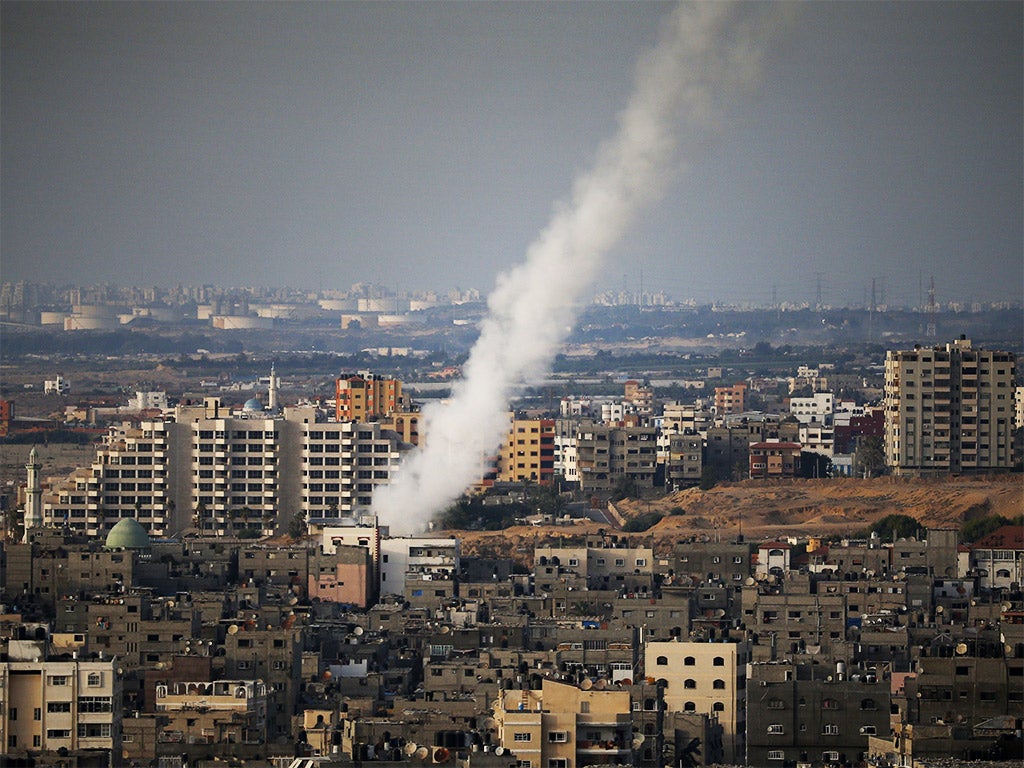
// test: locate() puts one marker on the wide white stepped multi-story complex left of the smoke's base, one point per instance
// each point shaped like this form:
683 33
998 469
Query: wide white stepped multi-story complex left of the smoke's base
225 476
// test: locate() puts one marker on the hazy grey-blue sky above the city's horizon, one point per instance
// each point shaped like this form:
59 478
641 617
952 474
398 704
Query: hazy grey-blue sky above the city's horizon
425 145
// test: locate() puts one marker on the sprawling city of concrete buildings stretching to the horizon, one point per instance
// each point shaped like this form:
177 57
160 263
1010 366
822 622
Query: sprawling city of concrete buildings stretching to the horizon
202 578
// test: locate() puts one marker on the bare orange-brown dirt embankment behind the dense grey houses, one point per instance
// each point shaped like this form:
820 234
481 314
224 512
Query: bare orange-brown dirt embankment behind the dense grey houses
765 509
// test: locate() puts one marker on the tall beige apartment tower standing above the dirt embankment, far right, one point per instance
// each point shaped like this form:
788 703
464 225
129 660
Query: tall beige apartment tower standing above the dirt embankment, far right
950 410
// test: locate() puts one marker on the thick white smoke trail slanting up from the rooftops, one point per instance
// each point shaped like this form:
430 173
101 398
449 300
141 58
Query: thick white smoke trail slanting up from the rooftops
708 51
